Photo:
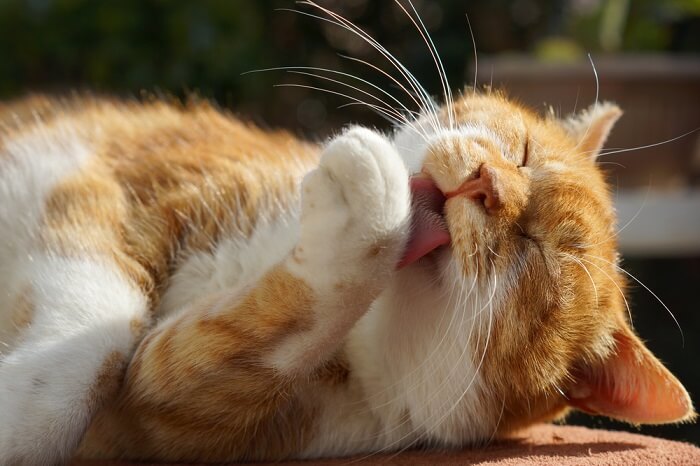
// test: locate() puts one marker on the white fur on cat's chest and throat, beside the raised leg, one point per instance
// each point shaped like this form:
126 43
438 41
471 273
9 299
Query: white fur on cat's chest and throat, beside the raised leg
415 374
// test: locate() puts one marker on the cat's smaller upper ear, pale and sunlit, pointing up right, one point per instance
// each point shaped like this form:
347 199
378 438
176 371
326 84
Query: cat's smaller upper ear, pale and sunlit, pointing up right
591 127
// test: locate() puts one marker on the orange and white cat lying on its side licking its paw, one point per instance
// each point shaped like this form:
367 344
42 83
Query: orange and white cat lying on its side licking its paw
178 285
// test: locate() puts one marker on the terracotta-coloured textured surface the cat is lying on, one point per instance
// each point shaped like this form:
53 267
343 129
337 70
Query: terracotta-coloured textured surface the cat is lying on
540 445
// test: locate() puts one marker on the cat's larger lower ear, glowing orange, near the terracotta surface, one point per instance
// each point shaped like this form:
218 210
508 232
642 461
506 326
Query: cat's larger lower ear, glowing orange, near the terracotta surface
631 385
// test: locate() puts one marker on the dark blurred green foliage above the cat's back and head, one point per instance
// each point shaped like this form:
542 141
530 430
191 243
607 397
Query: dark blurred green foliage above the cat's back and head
180 47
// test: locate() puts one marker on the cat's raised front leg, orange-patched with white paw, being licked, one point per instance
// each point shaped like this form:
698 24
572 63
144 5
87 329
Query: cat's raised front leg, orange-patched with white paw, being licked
252 353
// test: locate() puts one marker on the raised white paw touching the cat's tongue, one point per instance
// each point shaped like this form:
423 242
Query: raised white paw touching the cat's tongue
355 209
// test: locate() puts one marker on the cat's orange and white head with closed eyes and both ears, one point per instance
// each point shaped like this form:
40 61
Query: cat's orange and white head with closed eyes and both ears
533 228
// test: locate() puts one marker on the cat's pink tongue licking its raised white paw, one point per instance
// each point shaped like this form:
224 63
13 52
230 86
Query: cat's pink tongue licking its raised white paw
428 227
